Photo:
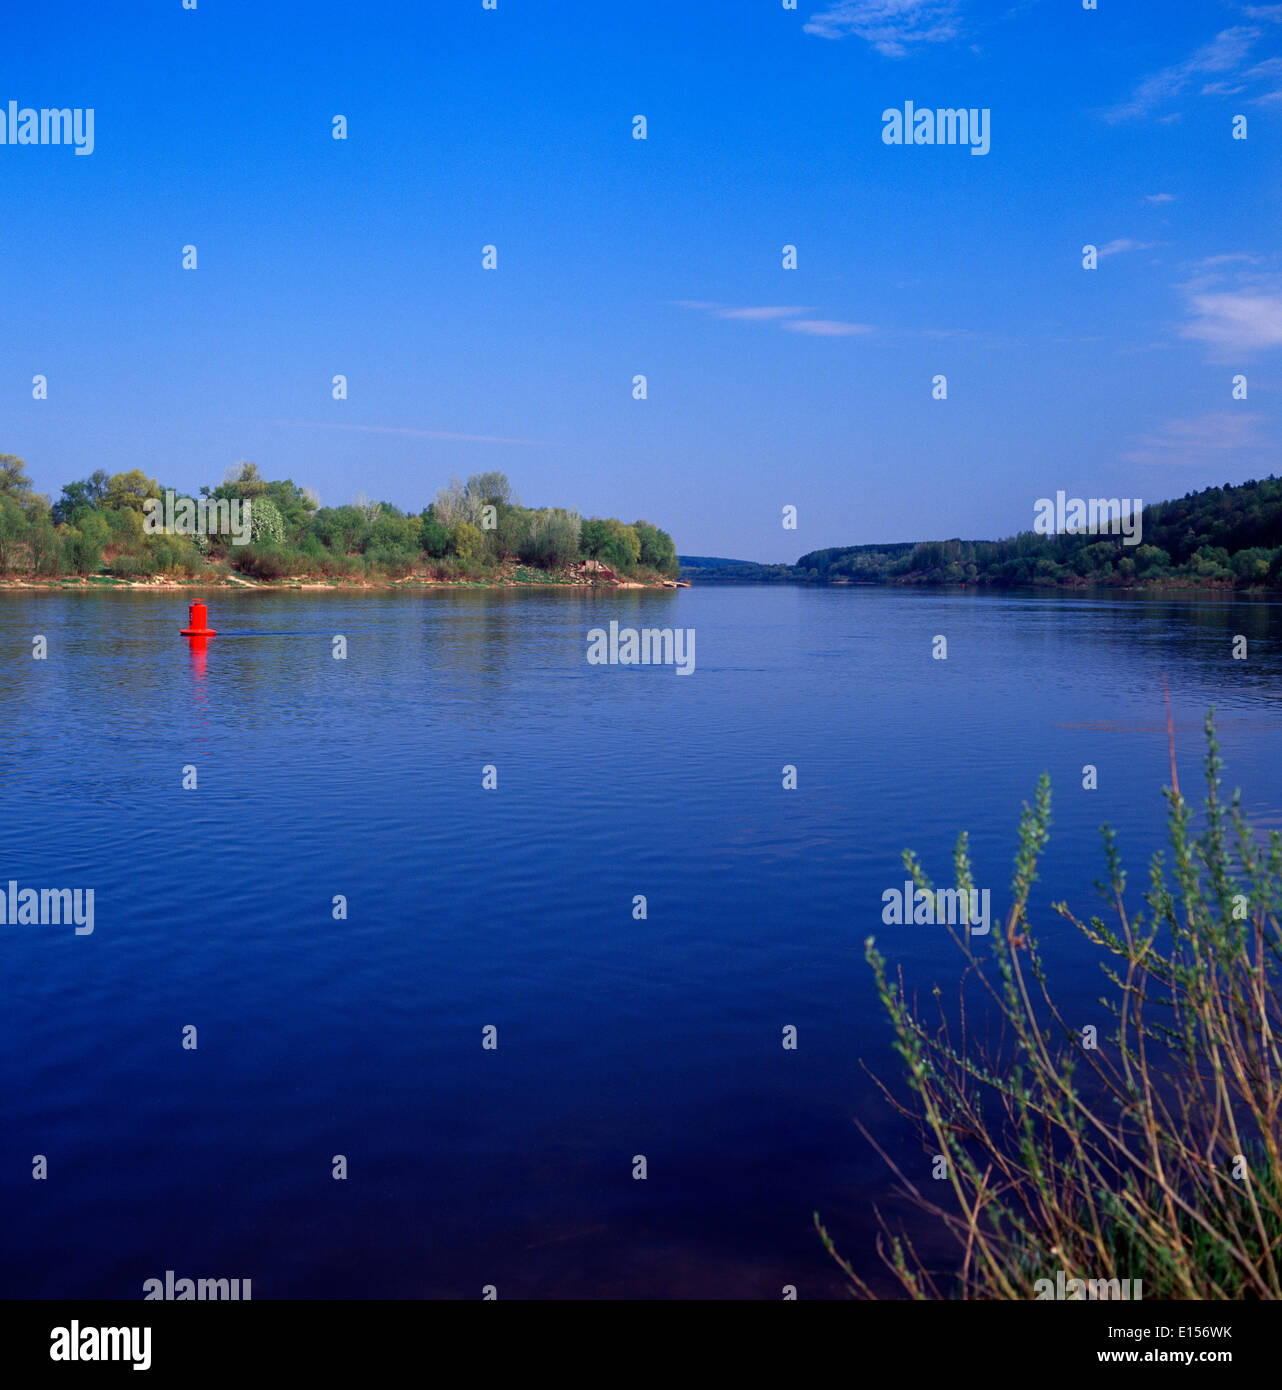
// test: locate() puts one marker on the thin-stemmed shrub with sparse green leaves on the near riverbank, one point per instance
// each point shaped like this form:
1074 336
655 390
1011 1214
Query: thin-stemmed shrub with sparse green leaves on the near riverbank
1155 1154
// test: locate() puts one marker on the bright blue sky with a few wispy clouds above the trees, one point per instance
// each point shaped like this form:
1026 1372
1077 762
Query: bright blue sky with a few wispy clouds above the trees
618 258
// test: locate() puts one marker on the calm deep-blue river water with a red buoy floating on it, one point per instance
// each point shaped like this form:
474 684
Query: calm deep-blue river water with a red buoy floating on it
514 908
